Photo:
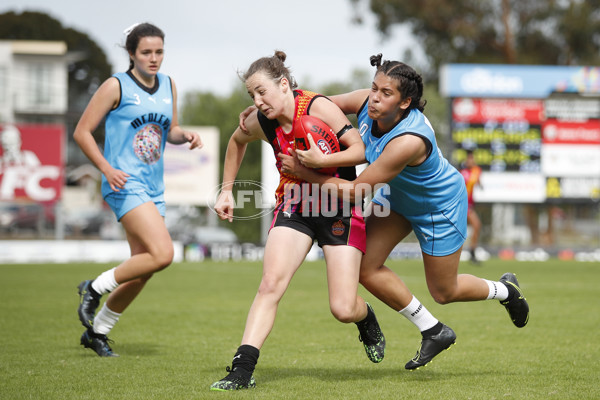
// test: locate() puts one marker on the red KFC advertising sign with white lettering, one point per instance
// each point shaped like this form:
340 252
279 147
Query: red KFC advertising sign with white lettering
31 162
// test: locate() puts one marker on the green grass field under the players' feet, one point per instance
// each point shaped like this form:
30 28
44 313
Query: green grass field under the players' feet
182 331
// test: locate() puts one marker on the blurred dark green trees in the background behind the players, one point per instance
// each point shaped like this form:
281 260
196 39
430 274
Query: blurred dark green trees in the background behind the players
546 32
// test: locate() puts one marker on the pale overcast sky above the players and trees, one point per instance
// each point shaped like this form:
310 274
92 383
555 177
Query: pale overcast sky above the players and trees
208 42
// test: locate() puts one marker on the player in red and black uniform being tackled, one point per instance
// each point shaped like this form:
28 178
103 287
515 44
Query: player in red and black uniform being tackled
296 224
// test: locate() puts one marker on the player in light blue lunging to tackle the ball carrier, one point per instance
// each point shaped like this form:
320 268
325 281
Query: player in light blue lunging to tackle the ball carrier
424 194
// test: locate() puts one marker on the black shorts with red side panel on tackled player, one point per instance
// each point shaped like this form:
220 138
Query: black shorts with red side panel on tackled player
336 230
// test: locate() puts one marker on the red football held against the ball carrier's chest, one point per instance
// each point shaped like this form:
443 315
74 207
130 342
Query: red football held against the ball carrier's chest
324 137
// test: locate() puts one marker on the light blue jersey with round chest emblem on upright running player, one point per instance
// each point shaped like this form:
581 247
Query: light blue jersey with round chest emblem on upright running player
136 134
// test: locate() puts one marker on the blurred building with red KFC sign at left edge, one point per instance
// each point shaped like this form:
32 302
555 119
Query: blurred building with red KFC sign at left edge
33 105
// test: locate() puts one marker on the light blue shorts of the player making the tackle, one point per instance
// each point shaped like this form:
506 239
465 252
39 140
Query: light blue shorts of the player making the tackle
440 233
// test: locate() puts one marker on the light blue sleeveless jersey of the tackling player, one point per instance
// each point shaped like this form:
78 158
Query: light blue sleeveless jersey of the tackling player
435 185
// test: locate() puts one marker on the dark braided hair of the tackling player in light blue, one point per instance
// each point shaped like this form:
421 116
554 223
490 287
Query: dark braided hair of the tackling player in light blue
410 83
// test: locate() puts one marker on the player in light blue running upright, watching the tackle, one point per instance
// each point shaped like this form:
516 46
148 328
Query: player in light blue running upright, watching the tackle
140 107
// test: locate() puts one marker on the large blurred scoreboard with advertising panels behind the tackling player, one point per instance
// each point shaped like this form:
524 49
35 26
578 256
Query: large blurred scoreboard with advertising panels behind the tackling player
534 130
